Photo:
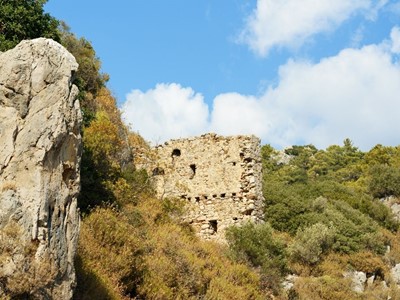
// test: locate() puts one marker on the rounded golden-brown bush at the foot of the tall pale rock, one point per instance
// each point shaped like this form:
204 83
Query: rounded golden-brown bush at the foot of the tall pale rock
111 248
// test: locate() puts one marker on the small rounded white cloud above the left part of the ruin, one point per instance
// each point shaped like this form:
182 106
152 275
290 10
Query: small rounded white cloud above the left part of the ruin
165 112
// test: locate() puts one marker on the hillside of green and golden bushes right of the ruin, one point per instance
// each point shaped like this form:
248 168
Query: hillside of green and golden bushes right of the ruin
326 200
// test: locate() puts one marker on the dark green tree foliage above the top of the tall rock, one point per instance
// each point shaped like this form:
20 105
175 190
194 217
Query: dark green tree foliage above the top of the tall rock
25 19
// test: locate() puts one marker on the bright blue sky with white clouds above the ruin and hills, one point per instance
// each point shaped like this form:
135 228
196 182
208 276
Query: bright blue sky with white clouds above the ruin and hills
289 71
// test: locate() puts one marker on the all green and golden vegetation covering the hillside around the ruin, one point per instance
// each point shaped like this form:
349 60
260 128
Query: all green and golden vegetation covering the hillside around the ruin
324 210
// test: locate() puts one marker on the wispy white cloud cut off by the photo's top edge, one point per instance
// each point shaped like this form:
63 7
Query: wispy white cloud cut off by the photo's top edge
290 23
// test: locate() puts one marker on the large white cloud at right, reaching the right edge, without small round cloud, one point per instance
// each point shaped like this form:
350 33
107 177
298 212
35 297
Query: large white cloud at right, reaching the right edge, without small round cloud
353 94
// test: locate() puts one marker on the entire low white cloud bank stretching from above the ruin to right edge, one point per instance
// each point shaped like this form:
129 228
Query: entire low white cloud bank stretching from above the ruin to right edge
353 94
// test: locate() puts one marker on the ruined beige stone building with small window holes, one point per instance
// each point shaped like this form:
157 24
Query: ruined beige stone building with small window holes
218 177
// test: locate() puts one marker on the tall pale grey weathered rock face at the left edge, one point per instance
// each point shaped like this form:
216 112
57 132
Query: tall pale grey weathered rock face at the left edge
40 146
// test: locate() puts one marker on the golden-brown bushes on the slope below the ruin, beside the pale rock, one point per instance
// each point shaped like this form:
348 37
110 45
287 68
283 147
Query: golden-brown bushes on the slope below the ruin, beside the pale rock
140 251
